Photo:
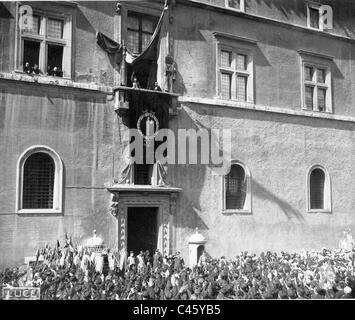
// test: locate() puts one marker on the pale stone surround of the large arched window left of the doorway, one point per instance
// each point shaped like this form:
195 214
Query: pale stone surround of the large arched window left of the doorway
58 181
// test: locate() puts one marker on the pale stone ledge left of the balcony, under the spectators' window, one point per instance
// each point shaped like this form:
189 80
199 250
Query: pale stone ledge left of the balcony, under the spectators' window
54 81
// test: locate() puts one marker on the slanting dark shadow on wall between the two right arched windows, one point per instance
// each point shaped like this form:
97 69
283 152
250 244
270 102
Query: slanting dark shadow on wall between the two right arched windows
261 192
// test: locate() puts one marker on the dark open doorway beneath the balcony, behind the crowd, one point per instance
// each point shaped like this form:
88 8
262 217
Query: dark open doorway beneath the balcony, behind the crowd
142 229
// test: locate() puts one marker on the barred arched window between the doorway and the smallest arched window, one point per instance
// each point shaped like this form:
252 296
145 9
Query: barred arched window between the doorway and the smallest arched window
236 187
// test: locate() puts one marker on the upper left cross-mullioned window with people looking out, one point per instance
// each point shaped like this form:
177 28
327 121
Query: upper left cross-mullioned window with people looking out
45 48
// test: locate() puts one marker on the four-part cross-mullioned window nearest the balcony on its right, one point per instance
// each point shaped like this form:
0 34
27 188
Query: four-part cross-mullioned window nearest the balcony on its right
236 74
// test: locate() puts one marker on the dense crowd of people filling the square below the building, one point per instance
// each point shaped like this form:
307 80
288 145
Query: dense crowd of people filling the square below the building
77 273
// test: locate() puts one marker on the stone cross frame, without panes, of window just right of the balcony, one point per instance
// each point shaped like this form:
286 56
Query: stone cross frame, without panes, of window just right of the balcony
249 72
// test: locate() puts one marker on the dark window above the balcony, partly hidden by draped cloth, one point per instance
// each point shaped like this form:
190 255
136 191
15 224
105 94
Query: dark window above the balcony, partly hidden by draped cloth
140 29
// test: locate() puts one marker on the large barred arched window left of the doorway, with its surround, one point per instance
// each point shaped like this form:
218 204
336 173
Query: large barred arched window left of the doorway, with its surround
39 182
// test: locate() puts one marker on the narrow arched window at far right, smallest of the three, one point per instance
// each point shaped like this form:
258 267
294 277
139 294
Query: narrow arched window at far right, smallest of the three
319 195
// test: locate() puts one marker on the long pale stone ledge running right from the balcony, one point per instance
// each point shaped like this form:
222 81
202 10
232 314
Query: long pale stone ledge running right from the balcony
251 106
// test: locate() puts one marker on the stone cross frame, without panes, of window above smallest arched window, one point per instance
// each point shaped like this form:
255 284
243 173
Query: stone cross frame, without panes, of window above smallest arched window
316 85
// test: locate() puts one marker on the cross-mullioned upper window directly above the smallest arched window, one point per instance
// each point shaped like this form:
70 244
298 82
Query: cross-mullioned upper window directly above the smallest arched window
317 93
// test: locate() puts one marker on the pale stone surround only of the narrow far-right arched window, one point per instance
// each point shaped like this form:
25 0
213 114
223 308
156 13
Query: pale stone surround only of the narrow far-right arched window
327 197
